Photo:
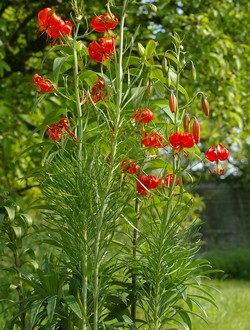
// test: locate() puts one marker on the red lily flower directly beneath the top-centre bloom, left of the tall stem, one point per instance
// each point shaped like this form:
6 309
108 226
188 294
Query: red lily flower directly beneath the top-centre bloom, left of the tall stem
100 52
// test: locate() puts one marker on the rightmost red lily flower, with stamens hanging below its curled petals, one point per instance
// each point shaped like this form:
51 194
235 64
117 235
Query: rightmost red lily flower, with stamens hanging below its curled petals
217 154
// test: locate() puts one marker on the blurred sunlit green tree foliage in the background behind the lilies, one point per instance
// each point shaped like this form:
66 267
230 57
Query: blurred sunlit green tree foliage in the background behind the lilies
215 33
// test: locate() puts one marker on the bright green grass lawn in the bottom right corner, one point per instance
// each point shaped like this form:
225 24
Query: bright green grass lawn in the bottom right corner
233 312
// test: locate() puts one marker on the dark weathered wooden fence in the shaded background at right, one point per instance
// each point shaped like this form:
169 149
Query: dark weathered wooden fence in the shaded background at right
226 218
